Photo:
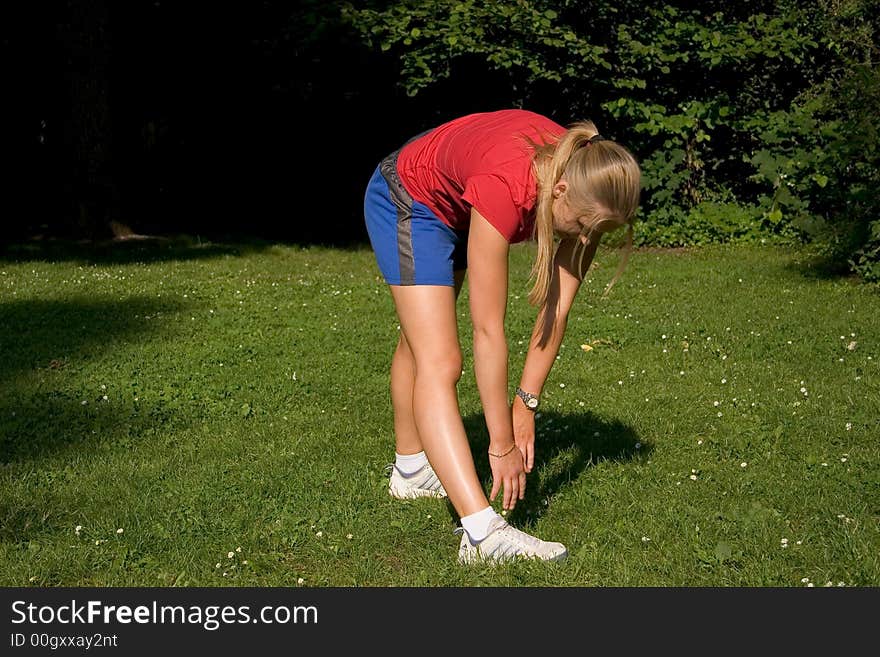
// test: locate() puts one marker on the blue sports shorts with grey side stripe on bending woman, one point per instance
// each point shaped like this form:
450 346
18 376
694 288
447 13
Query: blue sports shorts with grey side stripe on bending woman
412 245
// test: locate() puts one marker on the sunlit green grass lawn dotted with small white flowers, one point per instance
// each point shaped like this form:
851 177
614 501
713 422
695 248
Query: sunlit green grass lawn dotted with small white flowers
219 415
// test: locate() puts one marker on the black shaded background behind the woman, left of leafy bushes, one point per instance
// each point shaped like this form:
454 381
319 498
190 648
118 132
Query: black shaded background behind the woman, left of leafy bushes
257 118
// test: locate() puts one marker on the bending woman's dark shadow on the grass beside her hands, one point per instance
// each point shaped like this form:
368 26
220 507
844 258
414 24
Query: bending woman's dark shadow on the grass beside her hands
566 445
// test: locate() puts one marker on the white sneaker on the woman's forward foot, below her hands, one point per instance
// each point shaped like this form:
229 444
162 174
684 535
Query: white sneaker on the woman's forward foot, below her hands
506 543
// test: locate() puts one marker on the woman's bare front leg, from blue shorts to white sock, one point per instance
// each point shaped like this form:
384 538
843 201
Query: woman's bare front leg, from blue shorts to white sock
429 326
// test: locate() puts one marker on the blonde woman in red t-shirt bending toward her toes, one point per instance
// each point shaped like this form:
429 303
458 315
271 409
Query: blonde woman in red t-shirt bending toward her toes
453 199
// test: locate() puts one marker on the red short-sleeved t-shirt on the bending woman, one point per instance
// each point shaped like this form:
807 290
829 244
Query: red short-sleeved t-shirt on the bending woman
482 161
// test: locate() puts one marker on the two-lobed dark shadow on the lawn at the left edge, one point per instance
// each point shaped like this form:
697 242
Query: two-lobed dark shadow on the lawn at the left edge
44 344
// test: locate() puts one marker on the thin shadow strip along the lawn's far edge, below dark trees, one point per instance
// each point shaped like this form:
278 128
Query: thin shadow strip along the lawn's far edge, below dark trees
146 251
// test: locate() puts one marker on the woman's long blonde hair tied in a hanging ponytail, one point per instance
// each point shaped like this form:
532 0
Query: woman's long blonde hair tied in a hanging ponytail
604 180
